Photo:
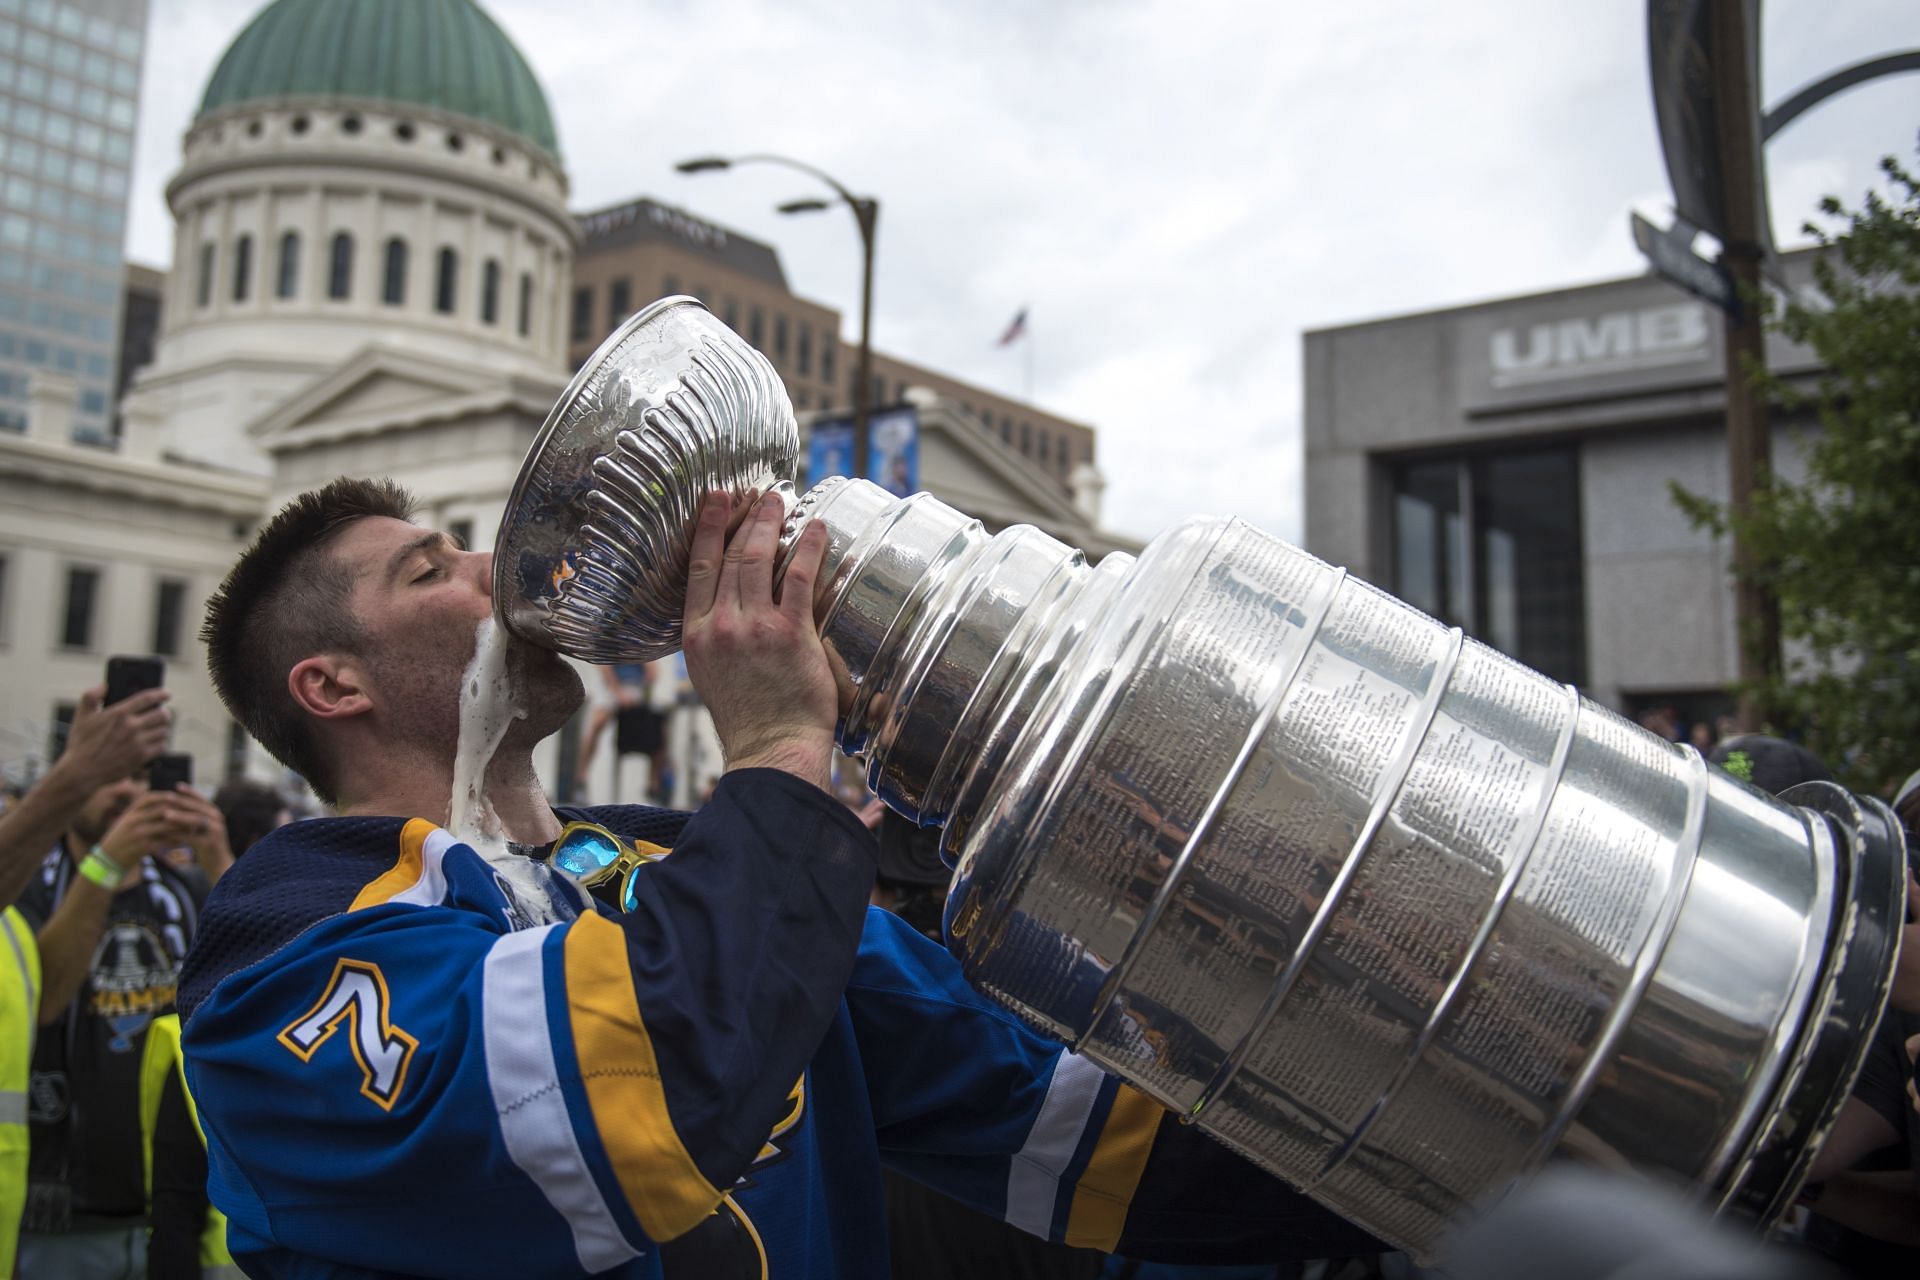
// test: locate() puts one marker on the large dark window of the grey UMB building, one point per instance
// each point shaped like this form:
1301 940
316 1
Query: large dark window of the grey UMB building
1491 544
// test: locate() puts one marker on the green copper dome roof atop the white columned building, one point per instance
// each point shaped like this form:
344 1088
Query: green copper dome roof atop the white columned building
444 55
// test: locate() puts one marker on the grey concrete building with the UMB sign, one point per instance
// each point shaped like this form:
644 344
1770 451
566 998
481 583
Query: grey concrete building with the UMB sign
1506 467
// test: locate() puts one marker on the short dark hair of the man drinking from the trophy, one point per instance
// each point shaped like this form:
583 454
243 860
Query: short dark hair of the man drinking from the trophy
287 600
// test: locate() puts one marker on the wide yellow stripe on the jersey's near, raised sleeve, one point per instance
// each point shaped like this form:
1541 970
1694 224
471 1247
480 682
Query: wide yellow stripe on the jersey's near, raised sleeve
663 1185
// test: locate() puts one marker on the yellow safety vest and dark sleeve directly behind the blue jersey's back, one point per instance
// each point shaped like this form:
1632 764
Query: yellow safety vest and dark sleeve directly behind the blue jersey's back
166 1112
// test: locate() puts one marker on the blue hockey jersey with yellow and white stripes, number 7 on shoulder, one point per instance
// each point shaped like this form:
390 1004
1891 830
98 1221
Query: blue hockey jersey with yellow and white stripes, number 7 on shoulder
400 1074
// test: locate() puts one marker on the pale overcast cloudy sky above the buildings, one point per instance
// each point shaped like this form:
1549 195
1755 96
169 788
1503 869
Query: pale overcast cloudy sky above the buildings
1174 189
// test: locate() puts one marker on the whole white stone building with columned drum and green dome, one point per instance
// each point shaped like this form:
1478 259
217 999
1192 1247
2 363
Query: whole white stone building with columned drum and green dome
372 260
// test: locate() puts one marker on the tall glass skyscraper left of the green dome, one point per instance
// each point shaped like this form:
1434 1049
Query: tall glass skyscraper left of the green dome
70 83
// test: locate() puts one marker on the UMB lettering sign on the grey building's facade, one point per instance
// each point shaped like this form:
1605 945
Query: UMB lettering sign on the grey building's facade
1598 344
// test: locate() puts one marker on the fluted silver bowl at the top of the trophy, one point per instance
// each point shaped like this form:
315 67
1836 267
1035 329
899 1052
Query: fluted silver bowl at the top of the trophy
592 556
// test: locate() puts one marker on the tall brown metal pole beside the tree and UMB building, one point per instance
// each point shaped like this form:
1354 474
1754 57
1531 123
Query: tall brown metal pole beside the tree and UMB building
1748 442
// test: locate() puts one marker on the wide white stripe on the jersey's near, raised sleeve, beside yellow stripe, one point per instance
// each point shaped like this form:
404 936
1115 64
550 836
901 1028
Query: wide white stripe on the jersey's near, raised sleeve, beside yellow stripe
527 1095
